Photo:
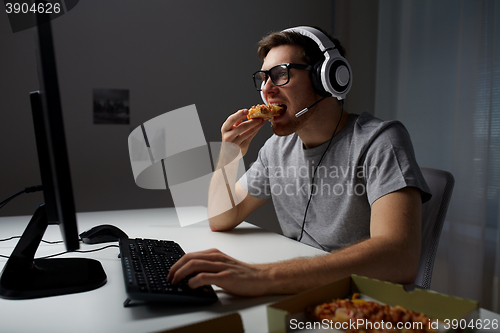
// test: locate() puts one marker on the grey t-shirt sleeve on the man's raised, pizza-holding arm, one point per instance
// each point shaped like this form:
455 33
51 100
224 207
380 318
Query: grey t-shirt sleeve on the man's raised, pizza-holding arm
256 180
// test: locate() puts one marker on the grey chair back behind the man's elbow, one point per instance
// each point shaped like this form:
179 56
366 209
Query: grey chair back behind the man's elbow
433 215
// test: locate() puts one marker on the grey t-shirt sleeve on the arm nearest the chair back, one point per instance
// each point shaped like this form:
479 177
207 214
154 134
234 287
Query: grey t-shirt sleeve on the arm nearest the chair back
390 164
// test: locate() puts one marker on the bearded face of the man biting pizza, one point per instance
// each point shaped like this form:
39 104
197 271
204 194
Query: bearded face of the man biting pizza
297 94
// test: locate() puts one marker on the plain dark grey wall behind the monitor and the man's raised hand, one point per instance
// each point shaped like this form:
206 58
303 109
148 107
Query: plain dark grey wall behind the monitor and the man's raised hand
168 54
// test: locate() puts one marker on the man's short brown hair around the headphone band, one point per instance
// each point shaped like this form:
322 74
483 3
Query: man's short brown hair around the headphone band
311 53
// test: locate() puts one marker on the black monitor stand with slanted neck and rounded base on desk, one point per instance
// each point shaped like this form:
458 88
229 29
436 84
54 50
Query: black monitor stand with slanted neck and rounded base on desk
24 277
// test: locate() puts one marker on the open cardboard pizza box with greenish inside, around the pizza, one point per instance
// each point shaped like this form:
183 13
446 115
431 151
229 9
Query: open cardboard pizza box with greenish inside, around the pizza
289 315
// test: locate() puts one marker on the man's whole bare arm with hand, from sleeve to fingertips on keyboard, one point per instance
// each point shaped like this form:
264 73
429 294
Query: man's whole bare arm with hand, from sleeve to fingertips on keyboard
392 253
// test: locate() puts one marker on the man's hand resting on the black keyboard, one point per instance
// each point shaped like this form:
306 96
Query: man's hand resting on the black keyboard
214 267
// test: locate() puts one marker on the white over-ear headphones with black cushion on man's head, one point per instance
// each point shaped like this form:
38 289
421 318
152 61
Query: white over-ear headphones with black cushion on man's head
333 75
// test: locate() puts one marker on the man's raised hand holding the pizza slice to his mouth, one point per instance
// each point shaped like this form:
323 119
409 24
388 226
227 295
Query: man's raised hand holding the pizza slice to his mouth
236 131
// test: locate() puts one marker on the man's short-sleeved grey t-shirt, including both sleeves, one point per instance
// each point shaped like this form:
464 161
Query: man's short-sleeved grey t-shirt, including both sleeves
366 160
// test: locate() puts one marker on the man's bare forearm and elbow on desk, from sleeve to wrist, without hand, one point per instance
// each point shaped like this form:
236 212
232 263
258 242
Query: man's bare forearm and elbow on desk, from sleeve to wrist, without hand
391 254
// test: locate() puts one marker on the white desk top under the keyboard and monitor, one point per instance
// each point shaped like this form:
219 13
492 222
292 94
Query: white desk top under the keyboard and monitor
102 310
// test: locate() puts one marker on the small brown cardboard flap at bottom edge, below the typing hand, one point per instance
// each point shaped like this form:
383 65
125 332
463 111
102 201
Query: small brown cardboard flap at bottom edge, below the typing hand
226 324
